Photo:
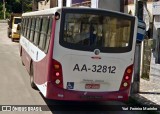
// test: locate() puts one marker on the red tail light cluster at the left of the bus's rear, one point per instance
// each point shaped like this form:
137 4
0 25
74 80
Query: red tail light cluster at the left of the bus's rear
57 75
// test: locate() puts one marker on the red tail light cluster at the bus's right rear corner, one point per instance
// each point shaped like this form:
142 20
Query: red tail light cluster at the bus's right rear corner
126 81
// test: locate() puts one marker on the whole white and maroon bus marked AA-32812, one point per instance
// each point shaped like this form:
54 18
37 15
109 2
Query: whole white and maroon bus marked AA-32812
79 54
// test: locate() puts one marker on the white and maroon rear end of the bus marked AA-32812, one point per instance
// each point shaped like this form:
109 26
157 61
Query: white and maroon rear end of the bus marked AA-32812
93 55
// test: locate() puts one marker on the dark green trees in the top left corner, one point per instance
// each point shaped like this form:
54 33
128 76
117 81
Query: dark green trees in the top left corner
15 6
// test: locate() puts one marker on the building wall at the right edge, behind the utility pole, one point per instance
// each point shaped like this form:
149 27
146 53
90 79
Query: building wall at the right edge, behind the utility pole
151 49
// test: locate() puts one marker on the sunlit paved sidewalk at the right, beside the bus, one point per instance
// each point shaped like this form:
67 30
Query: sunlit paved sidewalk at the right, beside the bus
150 90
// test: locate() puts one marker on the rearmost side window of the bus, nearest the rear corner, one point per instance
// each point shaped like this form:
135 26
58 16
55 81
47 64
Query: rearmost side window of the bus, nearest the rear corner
48 35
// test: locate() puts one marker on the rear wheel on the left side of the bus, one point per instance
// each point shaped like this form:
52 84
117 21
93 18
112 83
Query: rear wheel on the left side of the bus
32 78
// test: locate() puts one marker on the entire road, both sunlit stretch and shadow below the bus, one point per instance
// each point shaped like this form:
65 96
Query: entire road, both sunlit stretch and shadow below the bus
15 86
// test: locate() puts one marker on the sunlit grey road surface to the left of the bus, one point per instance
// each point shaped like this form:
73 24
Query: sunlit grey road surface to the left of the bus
14 79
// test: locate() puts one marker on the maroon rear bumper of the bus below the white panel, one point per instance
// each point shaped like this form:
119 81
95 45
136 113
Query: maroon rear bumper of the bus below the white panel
62 94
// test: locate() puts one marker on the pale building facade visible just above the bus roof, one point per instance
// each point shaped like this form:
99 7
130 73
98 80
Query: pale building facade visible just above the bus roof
107 4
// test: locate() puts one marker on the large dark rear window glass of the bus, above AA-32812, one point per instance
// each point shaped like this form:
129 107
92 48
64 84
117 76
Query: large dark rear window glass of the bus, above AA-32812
96 31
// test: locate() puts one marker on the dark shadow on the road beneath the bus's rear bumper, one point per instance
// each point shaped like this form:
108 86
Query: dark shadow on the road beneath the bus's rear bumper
75 107
